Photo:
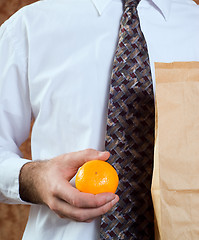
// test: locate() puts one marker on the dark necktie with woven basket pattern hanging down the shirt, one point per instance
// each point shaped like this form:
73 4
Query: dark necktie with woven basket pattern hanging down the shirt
130 133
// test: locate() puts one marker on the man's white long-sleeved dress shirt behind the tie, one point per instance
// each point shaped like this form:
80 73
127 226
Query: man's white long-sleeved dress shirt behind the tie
55 65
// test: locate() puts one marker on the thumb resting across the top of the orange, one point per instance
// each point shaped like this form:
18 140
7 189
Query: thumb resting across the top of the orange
79 158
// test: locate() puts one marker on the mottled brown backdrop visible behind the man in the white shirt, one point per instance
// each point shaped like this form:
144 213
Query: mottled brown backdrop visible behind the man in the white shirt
13 218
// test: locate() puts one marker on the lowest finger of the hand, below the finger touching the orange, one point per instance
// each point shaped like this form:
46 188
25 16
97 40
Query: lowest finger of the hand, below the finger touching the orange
83 214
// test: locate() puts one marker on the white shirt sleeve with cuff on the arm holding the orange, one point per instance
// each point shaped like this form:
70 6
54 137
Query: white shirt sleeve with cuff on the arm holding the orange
15 108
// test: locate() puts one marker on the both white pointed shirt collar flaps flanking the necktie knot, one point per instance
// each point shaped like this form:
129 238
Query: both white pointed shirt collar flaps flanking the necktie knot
162 5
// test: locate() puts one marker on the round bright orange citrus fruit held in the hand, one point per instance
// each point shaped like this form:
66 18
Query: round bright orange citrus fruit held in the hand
96 176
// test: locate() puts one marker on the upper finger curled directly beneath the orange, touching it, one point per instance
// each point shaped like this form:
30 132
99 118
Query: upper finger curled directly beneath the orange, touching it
82 200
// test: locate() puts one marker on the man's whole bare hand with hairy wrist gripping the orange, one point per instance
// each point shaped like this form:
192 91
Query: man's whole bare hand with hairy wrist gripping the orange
47 182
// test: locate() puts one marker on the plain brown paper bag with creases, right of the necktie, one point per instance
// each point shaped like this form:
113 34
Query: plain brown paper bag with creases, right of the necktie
175 186
